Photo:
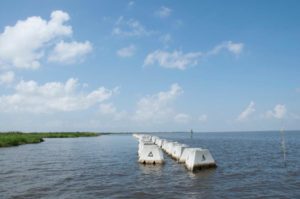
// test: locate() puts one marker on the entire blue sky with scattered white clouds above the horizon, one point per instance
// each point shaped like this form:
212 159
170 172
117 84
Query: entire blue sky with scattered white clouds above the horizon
123 66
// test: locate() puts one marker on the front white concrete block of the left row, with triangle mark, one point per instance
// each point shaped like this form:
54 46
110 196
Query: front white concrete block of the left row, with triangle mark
150 154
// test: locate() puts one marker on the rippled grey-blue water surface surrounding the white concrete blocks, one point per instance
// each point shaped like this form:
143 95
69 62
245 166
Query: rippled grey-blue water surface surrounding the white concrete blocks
250 165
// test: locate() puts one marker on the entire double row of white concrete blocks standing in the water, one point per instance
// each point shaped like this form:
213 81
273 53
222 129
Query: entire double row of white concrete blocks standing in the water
150 152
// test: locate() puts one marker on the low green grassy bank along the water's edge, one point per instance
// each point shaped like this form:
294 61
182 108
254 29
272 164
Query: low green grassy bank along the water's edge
18 138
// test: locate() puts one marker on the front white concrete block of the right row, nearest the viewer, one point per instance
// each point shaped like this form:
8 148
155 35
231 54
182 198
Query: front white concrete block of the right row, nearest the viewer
198 159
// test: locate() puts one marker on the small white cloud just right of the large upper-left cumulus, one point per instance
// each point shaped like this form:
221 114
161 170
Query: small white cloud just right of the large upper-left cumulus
68 53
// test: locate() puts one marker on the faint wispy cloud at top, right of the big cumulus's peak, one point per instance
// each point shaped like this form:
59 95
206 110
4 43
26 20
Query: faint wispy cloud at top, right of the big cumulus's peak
130 27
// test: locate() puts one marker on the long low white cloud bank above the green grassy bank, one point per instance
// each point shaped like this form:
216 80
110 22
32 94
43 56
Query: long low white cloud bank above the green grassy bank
29 96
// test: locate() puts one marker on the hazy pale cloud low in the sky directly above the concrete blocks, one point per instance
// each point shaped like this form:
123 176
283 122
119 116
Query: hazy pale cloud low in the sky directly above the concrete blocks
157 107
